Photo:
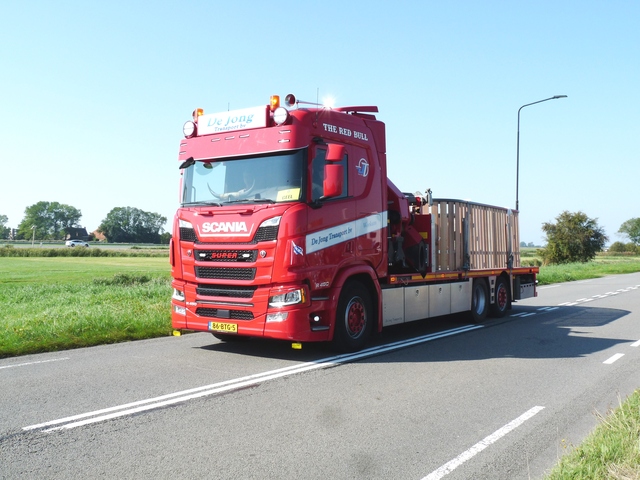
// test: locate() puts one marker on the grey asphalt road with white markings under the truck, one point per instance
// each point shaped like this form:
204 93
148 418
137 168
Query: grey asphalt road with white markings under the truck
429 400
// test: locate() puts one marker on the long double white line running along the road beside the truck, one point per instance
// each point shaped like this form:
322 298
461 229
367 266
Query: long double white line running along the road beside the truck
234 384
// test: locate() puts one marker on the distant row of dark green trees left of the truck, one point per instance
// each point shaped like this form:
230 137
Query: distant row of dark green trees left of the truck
55 221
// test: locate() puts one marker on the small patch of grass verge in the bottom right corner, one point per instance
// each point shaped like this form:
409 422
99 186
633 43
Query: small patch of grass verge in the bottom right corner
612 451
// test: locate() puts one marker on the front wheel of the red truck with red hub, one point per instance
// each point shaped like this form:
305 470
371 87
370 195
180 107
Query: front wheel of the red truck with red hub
353 318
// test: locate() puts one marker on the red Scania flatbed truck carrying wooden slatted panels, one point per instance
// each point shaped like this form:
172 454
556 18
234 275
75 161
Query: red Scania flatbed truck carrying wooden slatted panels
288 228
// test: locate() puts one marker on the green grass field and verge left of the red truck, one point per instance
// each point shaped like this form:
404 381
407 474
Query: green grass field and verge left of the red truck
59 303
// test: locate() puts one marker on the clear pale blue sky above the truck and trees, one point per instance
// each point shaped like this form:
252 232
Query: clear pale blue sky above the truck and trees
94 95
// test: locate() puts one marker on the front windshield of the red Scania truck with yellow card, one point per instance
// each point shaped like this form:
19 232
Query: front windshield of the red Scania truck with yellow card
264 179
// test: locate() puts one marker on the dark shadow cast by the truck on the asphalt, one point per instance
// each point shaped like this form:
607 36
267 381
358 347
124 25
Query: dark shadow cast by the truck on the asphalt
565 332
